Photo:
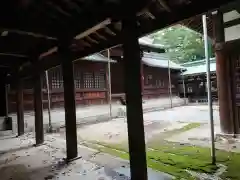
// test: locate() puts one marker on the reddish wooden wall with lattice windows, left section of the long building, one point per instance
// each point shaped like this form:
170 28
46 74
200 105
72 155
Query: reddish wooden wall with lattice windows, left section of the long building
85 93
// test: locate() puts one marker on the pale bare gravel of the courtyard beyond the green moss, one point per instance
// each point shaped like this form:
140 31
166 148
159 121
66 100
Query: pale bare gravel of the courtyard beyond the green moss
155 123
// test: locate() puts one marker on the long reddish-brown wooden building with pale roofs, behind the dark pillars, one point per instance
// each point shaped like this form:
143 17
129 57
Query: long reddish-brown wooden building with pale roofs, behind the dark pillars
91 79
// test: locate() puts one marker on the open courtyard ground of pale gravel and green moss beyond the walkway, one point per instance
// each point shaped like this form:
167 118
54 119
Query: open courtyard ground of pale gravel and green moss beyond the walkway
177 143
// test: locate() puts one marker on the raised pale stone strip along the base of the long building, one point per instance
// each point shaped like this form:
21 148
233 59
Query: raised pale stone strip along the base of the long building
91 114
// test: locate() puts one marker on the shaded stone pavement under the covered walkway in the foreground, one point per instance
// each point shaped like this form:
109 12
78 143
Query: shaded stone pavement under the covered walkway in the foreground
20 160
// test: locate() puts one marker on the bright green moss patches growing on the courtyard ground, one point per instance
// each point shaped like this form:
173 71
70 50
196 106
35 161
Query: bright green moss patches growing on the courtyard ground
174 158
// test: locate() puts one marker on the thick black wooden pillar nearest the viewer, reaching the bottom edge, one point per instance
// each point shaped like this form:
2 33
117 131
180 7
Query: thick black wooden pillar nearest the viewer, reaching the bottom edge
133 90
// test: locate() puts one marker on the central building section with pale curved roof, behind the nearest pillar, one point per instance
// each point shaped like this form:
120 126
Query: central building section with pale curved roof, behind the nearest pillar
155 81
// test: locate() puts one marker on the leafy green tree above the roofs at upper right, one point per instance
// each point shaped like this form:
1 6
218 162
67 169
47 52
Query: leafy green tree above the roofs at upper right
182 43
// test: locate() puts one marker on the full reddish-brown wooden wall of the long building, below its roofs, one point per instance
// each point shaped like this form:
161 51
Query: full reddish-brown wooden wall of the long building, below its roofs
155 85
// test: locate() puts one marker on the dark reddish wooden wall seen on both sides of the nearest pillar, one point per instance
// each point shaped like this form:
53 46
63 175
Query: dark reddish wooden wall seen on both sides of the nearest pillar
156 83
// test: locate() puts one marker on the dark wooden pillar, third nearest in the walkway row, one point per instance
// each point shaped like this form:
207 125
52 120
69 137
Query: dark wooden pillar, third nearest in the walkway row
38 108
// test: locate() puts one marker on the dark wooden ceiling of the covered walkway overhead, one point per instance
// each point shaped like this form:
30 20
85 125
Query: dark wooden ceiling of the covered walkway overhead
29 27
